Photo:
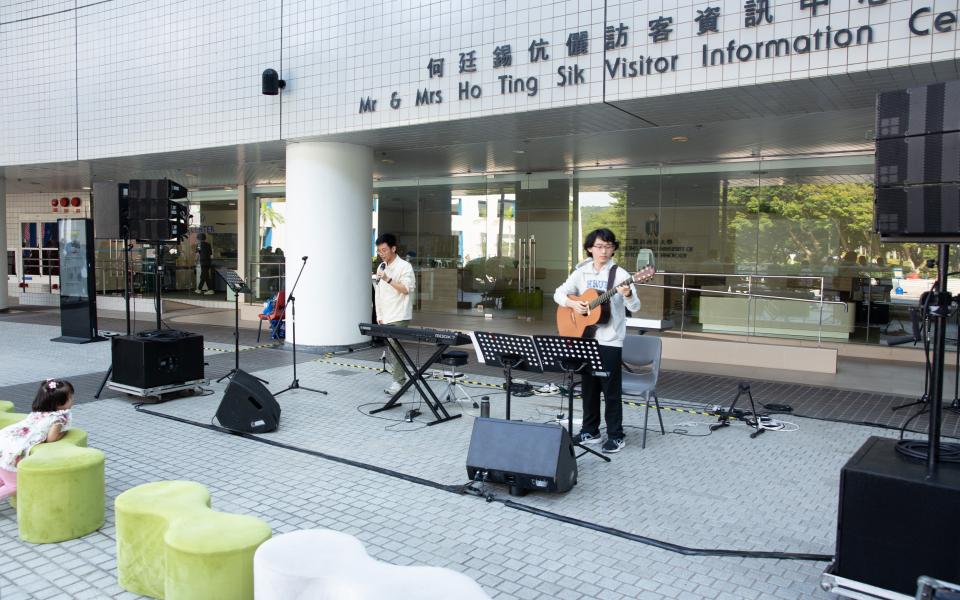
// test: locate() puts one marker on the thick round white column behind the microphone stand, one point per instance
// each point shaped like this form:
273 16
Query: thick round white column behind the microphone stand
329 192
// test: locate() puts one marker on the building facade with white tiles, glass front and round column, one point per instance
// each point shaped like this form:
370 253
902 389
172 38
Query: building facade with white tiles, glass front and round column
733 139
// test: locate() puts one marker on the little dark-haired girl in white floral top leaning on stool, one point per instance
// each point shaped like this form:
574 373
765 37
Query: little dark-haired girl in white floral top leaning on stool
47 422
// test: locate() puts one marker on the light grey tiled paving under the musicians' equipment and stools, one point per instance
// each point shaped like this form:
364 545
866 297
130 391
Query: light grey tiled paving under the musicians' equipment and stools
721 491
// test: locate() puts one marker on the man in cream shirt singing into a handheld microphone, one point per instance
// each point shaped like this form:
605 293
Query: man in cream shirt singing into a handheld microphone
393 287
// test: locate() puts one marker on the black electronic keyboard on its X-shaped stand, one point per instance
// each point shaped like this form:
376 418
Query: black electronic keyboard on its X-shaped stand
443 339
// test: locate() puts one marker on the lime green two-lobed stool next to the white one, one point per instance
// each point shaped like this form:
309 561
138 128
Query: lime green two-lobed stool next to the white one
171 544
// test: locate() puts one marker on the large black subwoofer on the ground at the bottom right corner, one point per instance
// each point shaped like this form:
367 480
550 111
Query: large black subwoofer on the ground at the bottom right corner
895 525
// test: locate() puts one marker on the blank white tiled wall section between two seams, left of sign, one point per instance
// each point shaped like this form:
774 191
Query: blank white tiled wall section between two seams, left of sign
174 74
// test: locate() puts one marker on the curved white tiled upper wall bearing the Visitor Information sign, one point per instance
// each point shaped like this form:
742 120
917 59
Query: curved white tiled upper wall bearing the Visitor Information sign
146 76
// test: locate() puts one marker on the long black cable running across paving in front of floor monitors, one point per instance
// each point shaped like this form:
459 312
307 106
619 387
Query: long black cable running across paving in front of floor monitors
466 489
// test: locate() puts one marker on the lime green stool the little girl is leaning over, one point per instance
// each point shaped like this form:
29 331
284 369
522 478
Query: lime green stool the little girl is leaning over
60 487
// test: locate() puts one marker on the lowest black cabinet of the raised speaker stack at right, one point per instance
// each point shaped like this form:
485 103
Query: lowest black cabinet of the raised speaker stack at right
920 213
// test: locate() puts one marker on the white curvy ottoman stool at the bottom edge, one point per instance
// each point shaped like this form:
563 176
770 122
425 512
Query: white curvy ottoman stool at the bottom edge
321 564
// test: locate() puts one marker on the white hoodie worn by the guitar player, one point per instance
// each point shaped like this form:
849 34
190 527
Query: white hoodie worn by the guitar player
585 277
